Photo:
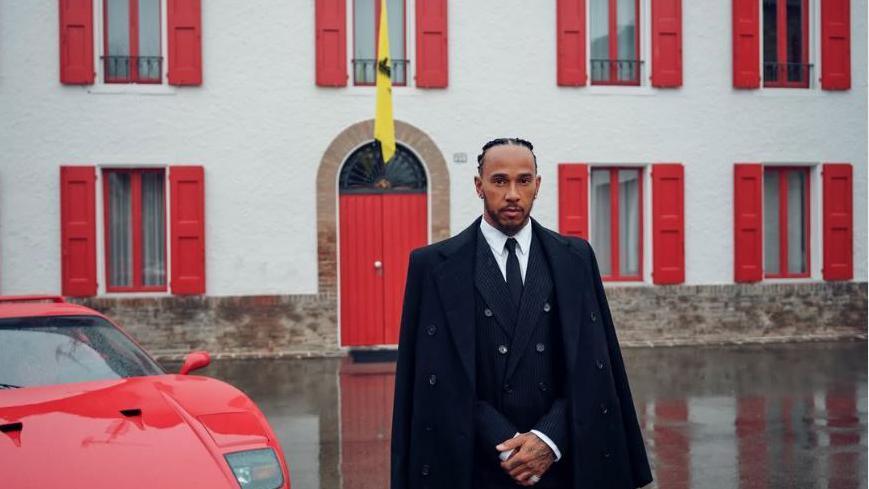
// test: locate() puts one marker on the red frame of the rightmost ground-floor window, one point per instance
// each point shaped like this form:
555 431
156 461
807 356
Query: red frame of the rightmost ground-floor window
783 172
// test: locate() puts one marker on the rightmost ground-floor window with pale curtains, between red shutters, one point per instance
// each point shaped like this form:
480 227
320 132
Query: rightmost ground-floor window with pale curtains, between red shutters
786 222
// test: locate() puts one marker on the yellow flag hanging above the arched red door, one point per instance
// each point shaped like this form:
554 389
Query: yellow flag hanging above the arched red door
384 125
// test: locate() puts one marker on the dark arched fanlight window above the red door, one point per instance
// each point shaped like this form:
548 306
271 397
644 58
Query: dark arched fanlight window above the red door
364 172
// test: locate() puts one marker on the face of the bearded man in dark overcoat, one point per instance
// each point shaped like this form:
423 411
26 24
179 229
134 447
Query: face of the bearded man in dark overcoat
508 186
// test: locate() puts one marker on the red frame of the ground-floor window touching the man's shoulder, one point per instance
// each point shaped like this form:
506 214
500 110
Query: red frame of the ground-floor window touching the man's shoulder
616 275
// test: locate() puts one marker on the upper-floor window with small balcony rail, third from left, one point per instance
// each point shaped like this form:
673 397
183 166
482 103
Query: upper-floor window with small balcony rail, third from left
615 42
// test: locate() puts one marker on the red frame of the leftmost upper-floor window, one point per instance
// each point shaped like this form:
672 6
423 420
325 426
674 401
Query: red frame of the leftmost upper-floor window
133 28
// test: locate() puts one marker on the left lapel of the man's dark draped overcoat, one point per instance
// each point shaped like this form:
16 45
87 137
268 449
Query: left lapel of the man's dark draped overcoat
456 288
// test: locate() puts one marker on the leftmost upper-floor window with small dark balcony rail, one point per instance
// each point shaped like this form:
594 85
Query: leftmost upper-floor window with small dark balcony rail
132 50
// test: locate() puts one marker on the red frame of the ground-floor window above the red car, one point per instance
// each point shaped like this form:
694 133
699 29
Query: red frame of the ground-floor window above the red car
136 226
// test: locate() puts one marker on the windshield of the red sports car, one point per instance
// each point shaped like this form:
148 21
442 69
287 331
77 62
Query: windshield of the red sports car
63 349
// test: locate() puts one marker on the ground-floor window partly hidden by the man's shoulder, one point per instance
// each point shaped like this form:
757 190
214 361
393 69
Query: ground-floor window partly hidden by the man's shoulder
616 222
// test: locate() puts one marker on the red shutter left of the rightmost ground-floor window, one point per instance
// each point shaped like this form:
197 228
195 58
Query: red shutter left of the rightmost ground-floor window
748 222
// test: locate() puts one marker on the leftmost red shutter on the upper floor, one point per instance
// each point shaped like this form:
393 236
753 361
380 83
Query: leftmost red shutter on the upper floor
76 42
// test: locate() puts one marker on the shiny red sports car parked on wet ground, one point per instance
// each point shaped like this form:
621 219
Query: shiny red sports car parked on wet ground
82 405
